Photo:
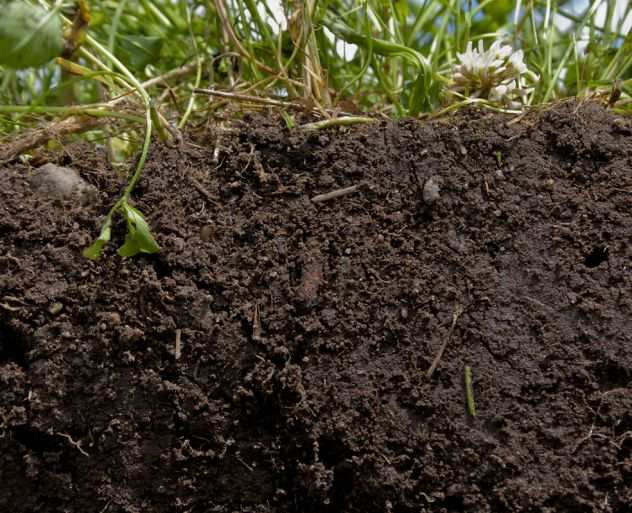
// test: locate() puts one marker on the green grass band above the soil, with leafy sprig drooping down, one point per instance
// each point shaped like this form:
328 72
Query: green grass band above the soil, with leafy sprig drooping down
145 67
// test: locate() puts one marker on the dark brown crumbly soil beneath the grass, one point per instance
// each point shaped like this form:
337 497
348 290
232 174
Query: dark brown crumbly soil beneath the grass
307 329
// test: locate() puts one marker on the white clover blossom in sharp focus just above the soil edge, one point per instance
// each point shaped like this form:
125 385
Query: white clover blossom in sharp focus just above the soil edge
498 74
